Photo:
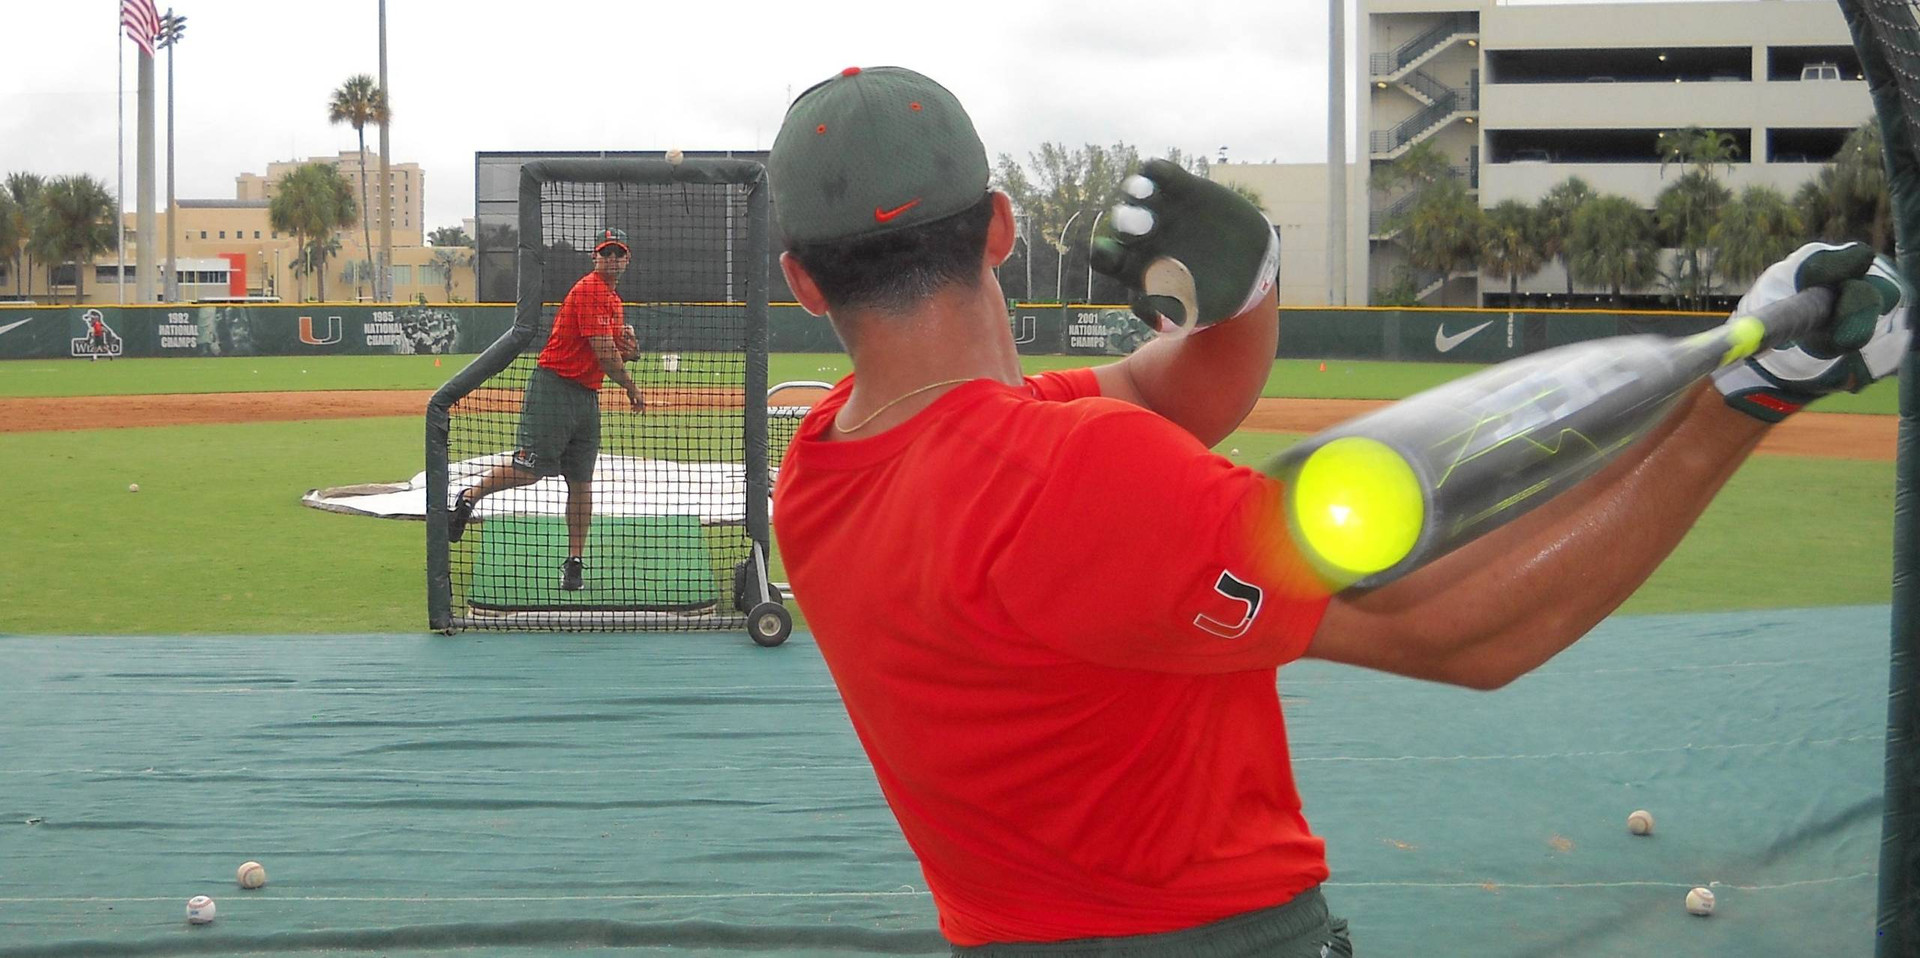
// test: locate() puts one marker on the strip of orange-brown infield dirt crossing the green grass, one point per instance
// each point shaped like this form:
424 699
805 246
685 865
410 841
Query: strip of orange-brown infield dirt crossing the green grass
1810 435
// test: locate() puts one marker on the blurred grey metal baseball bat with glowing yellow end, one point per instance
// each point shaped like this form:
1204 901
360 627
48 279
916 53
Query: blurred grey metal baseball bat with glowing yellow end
1393 491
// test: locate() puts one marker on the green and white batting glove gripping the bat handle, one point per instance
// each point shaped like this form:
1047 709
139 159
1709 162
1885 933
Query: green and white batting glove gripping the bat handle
1863 343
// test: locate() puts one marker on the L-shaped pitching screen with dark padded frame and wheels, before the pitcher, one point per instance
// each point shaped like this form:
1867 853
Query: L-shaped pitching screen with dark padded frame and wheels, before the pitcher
671 515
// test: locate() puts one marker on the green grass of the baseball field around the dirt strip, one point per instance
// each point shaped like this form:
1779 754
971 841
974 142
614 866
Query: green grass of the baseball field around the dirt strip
216 540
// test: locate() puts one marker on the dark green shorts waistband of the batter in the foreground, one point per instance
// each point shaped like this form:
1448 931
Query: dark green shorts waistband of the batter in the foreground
1295 930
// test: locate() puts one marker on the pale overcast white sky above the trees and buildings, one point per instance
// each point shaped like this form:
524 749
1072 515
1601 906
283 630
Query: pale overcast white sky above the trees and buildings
252 80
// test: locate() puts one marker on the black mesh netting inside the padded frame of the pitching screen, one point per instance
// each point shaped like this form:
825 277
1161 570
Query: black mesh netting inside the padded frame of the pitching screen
667 529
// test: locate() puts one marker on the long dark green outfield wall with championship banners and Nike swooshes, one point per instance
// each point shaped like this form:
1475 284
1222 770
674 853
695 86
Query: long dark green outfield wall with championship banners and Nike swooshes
1040 329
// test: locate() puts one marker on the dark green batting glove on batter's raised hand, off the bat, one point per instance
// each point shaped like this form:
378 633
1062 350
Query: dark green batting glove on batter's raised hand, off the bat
1191 251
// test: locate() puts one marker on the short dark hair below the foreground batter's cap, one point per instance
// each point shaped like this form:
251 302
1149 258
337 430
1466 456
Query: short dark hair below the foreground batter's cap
898 270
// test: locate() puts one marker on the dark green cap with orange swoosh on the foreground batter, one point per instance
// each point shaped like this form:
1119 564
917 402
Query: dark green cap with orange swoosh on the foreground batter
873 151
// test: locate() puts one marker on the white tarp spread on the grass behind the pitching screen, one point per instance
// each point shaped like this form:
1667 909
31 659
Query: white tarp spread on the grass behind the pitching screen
623 487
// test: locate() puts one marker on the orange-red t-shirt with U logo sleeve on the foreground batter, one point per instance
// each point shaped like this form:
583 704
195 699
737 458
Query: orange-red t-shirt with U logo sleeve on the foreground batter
1055 621
